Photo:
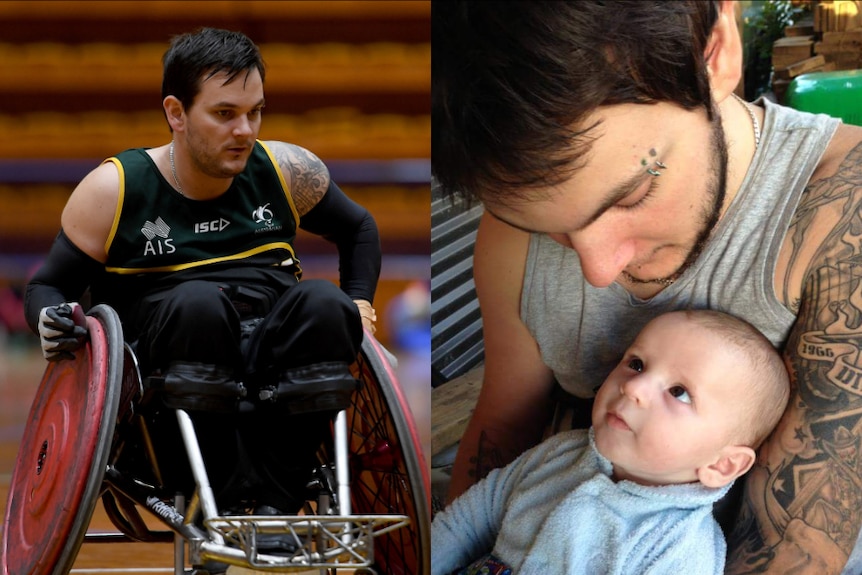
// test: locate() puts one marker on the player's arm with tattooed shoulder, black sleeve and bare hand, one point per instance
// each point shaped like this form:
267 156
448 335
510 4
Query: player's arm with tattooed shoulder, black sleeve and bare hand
326 211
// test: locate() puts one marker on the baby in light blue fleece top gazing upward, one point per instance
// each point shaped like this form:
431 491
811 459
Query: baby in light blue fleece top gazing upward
674 424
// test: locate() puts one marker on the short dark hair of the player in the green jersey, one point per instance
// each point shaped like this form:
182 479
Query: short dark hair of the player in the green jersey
196 56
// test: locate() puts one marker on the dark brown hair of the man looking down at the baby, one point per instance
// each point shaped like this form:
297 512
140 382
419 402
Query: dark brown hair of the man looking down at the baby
512 82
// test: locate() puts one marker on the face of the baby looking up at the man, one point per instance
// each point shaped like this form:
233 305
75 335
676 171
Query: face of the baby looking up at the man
669 406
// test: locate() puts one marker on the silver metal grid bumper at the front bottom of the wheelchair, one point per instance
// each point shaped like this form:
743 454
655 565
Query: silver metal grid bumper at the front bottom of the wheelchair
317 541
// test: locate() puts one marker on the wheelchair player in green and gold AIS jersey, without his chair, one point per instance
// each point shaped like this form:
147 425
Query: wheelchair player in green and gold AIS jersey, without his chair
191 243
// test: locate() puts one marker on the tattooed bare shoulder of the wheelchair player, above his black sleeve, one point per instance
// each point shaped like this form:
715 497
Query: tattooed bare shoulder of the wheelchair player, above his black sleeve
307 175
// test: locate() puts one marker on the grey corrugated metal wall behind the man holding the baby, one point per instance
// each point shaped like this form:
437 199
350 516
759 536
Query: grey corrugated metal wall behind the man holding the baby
456 325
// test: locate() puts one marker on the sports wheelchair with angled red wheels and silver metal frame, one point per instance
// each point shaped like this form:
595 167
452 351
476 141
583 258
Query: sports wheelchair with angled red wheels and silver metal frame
89 438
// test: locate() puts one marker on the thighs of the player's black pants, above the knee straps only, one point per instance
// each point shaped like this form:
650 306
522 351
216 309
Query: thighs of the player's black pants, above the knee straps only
312 322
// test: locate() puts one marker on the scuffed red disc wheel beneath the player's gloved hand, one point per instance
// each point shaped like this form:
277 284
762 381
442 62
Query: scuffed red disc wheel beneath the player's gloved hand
63 454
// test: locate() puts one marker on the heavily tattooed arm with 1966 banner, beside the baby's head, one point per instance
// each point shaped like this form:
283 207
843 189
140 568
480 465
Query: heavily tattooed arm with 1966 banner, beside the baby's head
802 509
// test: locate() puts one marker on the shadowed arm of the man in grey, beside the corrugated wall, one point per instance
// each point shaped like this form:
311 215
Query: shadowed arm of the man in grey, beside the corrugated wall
513 405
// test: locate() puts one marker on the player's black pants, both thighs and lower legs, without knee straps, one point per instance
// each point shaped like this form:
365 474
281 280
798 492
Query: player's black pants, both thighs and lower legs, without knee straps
265 456
